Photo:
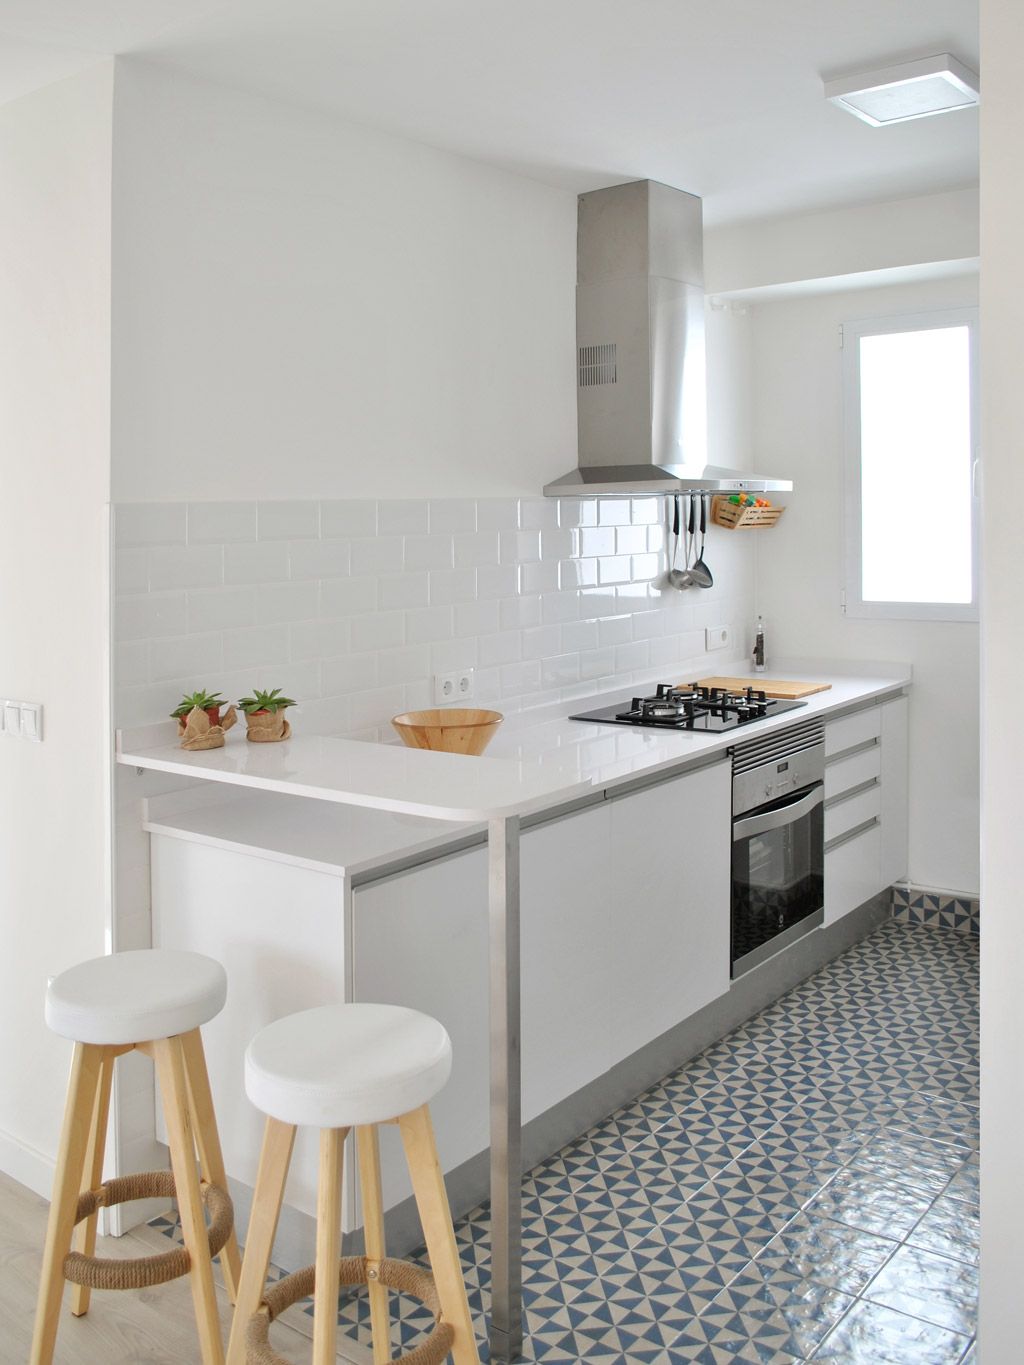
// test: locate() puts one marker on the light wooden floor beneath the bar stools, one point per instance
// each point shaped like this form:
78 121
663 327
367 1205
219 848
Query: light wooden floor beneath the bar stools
144 1327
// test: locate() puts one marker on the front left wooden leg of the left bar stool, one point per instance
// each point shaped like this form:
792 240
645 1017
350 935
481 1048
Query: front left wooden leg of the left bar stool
68 1183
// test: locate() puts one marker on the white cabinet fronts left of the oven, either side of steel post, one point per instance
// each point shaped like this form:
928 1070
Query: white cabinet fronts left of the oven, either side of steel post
625 933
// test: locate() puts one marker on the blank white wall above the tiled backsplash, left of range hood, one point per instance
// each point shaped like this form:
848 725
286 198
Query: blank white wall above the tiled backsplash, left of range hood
308 309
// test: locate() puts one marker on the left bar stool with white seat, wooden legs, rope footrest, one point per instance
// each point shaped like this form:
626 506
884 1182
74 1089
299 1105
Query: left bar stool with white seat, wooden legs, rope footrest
154 1003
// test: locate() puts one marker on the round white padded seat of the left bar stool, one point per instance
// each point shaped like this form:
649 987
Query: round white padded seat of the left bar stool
136 997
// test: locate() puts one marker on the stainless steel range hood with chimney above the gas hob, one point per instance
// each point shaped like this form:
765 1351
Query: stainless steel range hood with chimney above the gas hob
641 395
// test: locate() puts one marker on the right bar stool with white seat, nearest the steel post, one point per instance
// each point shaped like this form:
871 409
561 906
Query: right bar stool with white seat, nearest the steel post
337 1068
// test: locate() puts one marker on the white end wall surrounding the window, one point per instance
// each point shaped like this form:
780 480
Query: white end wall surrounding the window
799 435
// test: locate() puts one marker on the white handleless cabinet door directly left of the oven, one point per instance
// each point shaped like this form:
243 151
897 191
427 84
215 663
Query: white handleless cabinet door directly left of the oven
670 940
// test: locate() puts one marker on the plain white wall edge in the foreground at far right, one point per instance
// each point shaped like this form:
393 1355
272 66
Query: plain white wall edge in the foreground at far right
1003 650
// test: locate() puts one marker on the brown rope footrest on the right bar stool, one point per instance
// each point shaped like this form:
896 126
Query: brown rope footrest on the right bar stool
353 1270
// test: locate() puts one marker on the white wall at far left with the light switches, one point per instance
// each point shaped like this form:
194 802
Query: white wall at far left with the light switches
55 222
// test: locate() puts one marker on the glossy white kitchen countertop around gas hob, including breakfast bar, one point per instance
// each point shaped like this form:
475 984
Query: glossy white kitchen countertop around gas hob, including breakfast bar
349 807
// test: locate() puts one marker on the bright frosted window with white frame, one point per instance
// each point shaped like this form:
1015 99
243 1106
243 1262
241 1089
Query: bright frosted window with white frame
911 513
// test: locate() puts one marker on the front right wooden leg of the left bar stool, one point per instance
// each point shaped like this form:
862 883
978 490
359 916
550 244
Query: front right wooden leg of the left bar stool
171 1074
